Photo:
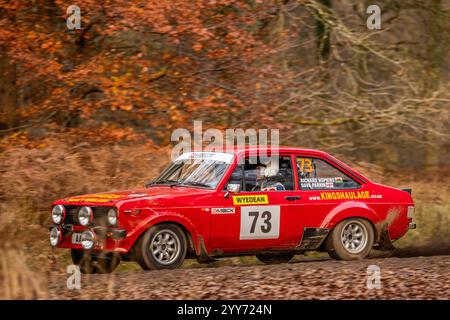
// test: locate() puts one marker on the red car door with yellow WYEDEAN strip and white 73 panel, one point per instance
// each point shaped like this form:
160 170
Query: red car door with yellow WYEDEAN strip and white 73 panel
256 219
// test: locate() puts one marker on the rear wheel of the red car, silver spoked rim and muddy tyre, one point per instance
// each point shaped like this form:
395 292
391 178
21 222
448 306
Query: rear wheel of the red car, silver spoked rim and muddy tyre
351 239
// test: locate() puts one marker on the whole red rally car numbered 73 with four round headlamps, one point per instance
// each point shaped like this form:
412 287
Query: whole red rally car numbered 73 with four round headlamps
207 205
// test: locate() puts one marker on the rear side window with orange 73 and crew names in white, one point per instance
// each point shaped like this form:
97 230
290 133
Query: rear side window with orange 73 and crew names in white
317 174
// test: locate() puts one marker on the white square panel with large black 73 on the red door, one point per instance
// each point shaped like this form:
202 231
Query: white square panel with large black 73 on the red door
260 222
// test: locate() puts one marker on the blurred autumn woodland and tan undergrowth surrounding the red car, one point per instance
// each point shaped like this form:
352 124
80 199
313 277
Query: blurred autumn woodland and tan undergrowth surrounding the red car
93 109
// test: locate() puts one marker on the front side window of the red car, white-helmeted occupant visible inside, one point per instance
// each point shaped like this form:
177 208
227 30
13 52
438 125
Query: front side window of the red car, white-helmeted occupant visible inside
260 176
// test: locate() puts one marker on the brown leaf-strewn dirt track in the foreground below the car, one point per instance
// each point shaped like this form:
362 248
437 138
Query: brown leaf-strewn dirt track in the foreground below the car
401 278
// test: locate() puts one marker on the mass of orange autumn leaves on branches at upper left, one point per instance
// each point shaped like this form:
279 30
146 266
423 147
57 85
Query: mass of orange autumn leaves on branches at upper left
147 65
